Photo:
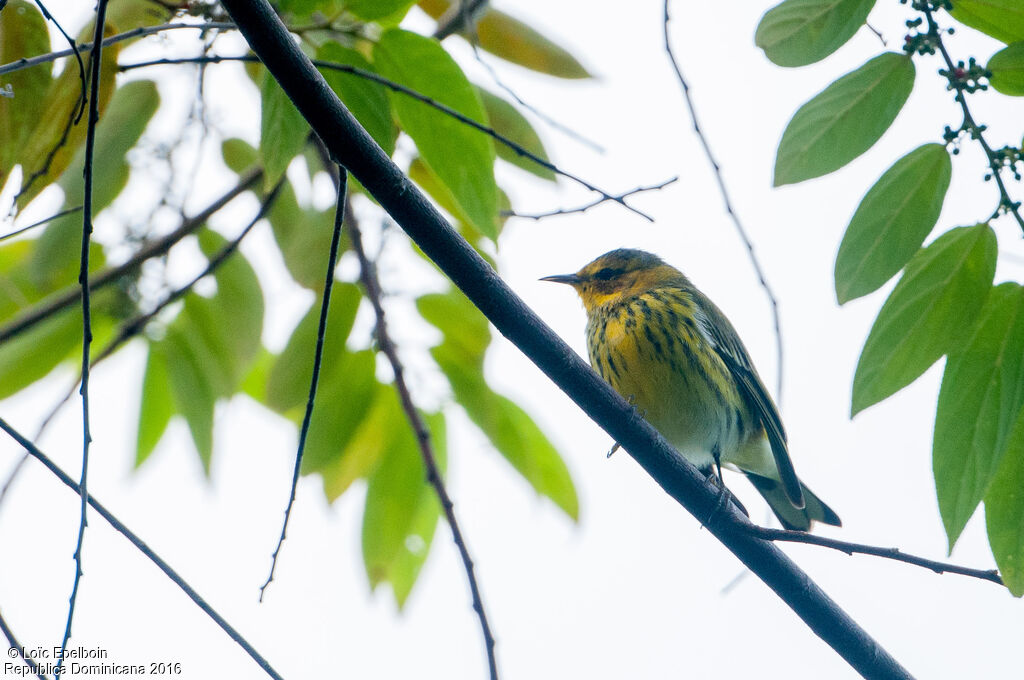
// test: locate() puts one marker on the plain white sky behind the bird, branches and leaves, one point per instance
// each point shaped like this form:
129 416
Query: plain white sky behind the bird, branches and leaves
635 590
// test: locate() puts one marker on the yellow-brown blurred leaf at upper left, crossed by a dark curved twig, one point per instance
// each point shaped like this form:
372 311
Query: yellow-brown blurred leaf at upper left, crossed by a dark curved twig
44 150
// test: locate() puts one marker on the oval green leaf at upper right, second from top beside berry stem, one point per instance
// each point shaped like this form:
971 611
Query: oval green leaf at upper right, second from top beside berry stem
845 120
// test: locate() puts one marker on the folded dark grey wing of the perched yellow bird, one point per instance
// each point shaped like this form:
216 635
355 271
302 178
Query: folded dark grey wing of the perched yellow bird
723 338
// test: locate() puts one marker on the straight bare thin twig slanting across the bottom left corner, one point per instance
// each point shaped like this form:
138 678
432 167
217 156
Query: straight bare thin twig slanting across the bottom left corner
144 548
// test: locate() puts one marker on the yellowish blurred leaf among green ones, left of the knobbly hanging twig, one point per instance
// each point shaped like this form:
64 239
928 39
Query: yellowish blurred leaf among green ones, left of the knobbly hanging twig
371 439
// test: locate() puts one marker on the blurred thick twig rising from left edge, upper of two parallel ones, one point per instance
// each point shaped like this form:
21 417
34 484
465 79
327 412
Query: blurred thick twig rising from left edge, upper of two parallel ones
159 247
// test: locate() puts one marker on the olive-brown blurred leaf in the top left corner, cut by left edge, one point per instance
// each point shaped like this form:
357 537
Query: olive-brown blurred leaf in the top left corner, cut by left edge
23 34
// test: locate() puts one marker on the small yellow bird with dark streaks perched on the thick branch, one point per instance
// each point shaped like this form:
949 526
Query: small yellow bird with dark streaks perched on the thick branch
667 349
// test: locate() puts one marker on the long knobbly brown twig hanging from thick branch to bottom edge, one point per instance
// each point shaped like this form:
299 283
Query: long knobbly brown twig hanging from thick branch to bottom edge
368 276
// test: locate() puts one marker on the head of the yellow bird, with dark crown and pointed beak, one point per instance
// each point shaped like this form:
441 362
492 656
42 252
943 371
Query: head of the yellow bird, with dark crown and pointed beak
619 275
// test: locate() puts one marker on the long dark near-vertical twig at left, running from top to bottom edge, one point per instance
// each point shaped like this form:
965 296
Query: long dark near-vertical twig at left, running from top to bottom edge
97 60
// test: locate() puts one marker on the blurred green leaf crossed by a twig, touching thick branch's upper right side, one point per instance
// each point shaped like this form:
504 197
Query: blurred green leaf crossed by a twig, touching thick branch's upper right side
367 101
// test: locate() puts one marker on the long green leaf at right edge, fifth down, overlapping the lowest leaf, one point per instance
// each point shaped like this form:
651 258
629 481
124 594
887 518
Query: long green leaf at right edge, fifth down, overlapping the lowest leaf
982 398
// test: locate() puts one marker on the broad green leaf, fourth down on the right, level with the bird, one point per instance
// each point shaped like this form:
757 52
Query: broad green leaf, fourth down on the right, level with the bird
930 313
